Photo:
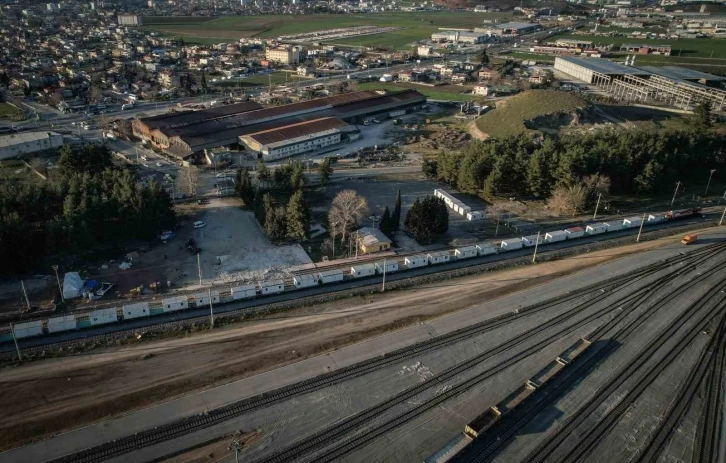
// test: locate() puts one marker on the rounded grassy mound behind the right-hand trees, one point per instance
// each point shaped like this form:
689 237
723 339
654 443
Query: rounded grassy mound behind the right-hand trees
509 116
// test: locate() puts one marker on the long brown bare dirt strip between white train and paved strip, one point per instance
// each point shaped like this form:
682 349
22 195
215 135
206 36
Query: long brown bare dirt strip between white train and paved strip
50 396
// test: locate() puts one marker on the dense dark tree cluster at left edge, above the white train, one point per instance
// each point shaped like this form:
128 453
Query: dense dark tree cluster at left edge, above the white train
87 205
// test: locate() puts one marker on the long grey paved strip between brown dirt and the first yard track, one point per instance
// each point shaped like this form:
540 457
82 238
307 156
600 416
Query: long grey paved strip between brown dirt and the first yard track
216 397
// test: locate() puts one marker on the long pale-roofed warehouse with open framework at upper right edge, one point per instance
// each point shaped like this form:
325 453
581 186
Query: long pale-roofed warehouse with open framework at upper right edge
675 86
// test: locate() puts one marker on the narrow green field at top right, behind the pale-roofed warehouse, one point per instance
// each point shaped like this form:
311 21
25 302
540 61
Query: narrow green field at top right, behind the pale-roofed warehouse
687 48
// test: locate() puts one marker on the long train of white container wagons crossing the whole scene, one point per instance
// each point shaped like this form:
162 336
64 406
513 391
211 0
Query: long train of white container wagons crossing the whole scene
69 322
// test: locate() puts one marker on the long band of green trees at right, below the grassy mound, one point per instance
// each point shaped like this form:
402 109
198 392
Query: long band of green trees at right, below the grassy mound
634 161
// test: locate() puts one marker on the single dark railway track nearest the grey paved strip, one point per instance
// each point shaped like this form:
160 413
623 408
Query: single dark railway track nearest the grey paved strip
185 426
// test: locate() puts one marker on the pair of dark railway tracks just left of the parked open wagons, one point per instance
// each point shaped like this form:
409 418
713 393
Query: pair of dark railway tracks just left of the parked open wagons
355 422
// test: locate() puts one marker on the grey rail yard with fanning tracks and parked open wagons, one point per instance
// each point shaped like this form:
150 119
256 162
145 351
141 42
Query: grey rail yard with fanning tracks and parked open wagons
624 359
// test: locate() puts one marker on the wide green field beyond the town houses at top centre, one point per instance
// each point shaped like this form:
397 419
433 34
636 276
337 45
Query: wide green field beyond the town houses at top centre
417 26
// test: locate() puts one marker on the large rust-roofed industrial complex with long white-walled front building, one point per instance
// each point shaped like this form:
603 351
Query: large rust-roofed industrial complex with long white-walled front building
273 132
